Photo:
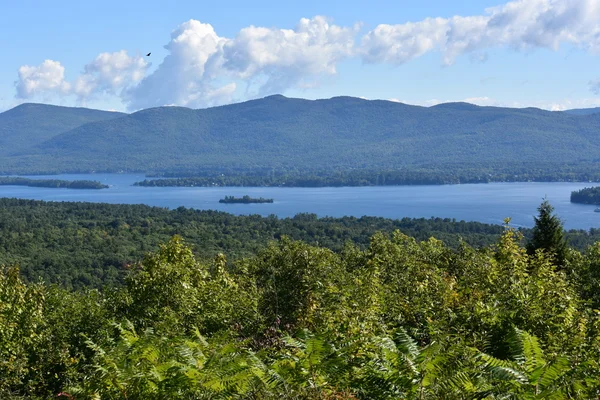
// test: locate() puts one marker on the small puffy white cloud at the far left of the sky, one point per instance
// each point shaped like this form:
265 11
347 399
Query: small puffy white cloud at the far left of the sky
46 78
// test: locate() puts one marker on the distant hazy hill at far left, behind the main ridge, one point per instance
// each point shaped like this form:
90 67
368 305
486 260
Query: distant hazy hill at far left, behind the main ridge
29 124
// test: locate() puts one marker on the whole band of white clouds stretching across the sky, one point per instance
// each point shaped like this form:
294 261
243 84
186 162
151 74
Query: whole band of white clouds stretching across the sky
203 68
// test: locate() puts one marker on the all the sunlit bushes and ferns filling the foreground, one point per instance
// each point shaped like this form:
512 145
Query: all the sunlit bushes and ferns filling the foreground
397 319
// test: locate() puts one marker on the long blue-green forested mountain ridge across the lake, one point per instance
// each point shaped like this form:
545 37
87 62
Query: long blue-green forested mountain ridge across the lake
342 133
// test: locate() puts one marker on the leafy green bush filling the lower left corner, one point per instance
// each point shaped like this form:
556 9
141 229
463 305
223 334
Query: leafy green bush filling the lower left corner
40 335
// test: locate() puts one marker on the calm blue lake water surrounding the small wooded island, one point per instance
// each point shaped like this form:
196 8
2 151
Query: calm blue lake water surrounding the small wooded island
489 203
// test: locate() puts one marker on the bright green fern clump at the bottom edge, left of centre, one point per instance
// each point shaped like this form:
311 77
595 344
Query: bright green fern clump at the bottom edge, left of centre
150 366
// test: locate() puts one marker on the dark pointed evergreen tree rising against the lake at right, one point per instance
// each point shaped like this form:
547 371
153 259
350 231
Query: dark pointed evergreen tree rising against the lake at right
548 233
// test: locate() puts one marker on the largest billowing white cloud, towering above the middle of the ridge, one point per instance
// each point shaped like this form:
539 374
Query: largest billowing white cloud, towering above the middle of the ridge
202 68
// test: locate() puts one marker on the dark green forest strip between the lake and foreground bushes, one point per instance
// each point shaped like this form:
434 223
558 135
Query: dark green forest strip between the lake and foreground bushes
79 245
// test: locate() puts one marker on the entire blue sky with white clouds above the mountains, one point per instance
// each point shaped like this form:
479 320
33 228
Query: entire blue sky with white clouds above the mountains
522 53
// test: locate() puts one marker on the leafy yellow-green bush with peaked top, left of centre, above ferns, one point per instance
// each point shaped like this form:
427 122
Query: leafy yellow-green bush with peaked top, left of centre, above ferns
171 291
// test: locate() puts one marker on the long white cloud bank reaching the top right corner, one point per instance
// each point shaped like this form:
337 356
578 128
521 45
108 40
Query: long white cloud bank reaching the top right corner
521 24
